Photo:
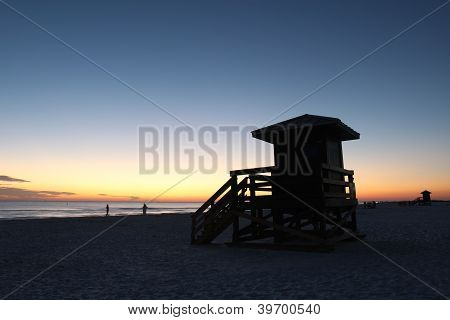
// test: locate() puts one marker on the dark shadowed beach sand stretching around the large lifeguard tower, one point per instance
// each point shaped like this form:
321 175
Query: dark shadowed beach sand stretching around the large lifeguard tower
151 258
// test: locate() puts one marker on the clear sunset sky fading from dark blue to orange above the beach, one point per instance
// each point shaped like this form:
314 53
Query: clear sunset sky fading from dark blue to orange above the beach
66 126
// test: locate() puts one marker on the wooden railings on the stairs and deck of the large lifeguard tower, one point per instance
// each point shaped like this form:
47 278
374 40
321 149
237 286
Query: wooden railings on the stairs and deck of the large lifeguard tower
252 195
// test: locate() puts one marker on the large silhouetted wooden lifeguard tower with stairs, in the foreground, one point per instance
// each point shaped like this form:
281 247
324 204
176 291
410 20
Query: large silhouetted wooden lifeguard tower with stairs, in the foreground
307 199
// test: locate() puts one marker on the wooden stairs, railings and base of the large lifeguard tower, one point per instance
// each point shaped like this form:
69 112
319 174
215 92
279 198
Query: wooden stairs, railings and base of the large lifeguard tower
252 199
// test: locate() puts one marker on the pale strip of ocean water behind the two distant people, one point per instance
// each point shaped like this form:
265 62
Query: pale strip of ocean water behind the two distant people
49 209
